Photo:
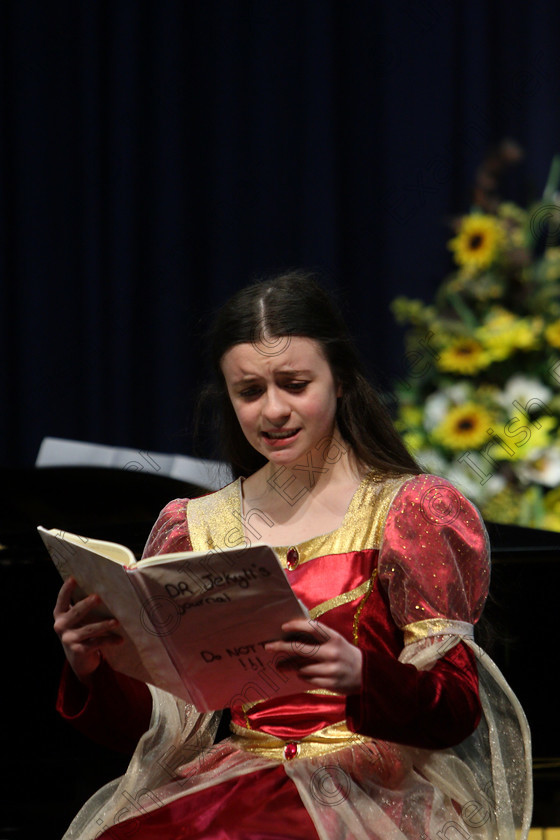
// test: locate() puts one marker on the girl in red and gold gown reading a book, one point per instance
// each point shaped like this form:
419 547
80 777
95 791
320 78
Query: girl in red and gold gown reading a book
406 729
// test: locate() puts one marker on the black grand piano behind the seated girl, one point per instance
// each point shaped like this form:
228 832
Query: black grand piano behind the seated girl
49 770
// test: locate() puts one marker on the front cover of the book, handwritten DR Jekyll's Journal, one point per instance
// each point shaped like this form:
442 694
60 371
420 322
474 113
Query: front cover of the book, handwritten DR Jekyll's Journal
215 612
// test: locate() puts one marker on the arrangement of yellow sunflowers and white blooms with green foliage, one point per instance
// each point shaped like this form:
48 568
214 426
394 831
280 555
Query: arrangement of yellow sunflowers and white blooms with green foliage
480 401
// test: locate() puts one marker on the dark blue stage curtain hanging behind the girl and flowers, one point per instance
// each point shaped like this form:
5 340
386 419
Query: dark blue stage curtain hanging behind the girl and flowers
156 156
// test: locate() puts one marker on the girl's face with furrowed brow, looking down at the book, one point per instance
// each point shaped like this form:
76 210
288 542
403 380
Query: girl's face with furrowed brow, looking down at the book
285 400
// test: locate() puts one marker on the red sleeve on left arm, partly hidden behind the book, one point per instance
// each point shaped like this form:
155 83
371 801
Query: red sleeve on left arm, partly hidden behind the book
115 709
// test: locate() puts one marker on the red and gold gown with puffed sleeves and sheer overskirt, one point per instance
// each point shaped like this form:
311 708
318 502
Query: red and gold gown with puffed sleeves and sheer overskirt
434 746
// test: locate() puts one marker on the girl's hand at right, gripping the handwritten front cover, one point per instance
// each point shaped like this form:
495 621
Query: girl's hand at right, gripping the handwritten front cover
321 656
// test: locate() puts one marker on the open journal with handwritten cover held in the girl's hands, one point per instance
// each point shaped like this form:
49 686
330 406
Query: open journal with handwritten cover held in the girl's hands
194 623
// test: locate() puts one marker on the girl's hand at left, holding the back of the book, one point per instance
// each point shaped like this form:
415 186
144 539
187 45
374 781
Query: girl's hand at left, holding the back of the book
83 643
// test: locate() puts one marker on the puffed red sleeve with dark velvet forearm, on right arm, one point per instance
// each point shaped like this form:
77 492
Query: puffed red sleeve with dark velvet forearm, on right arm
434 572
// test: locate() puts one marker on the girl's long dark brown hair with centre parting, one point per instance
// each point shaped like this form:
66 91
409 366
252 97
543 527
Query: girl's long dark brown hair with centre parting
269 312
